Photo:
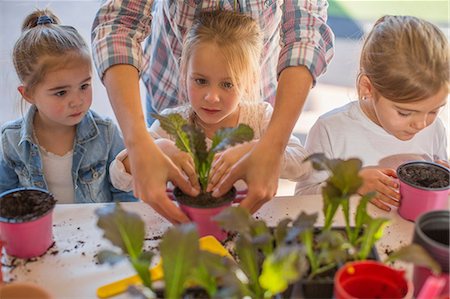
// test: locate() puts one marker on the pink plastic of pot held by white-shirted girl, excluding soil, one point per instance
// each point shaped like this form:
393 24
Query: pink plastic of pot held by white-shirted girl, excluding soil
416 200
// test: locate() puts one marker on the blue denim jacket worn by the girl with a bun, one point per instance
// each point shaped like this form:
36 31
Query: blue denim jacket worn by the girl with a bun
97 143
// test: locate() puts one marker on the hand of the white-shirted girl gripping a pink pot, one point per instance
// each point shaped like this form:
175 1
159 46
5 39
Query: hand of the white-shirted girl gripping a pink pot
381 180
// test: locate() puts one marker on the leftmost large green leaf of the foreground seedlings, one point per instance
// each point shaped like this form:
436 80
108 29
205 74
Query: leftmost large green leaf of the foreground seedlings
124 229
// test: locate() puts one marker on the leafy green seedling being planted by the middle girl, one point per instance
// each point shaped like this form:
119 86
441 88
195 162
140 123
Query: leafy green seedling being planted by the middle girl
192 140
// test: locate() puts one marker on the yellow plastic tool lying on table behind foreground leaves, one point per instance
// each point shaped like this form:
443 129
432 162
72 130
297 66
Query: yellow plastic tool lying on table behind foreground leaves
207 243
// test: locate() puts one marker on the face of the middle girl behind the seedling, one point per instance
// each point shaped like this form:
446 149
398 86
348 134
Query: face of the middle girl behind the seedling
211 92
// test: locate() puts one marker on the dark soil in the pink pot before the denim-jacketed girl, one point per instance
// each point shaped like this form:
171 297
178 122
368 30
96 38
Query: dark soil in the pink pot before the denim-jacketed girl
25 205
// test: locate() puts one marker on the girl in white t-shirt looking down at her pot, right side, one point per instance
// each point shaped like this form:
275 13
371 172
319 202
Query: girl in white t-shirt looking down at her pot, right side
403 83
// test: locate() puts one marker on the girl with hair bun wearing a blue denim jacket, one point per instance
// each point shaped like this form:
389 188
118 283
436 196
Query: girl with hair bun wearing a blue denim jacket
59 145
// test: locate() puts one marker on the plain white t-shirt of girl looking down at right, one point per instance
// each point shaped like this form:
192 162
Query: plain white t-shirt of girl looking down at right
346 132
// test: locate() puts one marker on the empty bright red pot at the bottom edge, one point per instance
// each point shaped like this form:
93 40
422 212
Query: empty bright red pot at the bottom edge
371 279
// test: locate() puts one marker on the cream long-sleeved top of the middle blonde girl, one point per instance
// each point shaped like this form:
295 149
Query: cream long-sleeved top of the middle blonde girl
255 114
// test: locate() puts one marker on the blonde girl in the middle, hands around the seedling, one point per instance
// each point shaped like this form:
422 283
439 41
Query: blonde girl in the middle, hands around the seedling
220 75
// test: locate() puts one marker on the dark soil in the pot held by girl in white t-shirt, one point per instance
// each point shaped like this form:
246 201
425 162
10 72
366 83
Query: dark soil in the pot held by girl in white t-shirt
425 175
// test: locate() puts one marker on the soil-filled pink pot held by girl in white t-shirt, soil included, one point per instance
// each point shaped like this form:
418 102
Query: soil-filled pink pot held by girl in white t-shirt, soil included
424 187
